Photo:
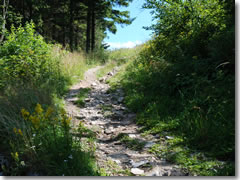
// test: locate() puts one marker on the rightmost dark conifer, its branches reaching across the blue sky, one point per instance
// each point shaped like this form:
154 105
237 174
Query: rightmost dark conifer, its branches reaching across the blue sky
103 14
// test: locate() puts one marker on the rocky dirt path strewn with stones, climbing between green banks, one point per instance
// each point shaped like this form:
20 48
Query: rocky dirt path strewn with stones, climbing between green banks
120 149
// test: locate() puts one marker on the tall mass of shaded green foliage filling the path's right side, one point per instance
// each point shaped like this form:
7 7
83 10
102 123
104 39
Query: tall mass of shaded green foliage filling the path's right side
183 80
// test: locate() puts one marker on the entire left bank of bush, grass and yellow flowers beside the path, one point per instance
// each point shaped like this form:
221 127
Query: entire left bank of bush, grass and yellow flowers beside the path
35 132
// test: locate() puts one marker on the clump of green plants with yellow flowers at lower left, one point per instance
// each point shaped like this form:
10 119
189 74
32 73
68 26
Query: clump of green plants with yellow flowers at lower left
45 146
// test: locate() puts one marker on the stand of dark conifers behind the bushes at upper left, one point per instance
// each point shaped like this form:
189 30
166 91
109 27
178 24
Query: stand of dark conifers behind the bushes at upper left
71 23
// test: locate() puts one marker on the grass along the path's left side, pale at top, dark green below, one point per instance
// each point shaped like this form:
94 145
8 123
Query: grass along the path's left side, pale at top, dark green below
58 152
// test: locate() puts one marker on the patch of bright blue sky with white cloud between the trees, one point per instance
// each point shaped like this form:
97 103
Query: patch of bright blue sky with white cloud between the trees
130 35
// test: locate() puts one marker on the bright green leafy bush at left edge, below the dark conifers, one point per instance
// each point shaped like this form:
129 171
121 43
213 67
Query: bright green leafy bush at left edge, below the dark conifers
26 61
